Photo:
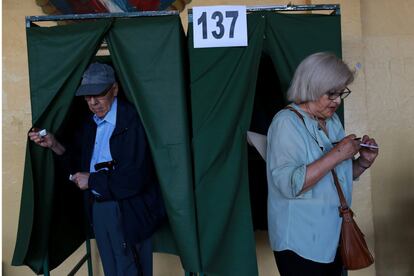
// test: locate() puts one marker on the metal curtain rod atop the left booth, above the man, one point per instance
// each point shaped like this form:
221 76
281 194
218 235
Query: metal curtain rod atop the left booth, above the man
31 19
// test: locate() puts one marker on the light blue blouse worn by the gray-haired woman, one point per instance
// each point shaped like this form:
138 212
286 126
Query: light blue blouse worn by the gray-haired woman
307 223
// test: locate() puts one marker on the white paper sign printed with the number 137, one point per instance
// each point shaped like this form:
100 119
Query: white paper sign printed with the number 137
219 26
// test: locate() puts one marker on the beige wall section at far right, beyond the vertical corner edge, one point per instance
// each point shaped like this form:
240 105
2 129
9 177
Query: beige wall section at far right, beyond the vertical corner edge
388 37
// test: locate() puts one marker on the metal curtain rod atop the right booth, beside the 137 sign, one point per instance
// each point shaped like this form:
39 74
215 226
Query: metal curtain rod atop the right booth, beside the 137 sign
286 8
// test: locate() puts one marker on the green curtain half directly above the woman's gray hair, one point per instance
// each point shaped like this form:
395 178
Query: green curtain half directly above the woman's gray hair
292 37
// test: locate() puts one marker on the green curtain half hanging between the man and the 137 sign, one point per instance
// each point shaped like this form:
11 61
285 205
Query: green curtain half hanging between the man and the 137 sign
151 66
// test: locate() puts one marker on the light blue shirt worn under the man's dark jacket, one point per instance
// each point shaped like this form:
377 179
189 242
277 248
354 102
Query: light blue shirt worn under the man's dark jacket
104 130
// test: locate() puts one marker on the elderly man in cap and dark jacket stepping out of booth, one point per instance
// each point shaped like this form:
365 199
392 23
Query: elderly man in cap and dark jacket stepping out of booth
116 173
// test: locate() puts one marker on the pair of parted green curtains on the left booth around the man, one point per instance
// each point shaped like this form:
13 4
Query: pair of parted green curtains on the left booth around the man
147 54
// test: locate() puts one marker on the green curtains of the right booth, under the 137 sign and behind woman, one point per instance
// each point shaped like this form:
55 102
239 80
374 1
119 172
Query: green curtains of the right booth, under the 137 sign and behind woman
223 82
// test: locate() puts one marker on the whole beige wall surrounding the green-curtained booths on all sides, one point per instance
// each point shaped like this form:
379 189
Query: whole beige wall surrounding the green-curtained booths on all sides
376 33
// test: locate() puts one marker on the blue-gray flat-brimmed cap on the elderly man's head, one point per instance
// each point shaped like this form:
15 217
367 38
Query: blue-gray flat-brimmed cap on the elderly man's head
96 79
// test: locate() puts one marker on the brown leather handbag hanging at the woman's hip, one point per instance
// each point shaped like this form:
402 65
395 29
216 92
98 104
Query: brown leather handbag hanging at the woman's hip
354 250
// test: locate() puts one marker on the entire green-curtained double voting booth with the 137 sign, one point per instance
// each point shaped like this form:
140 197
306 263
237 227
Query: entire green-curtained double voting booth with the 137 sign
196 105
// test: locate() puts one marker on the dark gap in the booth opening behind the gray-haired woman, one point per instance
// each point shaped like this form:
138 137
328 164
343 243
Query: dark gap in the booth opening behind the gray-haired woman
268 100
